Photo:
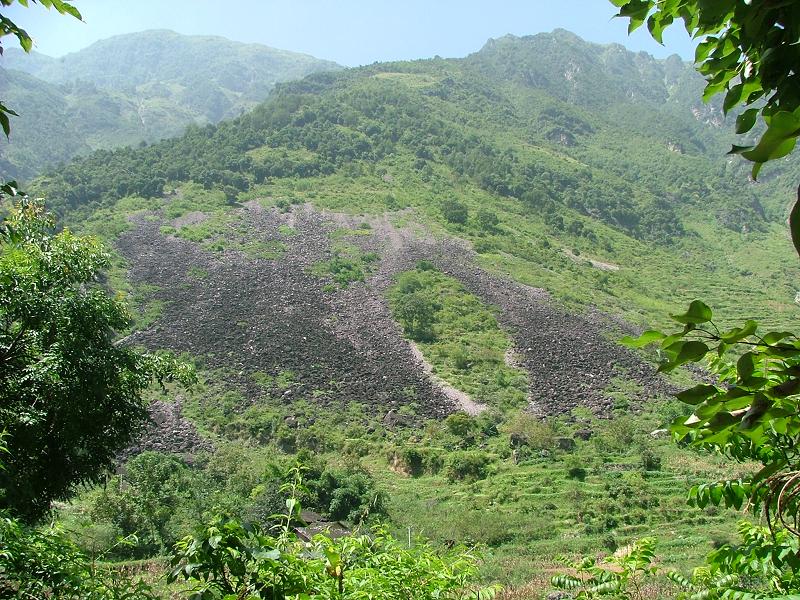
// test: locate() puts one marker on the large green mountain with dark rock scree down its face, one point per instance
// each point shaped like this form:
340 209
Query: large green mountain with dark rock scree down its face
371 253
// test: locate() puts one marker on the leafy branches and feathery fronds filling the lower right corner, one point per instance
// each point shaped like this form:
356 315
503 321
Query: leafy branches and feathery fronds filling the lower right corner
749 413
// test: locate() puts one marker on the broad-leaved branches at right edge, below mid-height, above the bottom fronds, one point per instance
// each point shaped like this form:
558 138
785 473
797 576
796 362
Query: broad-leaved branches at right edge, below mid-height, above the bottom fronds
749 413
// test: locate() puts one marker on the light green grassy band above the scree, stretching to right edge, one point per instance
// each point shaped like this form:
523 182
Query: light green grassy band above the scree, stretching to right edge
741 275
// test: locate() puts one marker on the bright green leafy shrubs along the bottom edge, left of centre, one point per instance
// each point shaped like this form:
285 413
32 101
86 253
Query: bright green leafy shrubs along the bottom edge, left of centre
229 560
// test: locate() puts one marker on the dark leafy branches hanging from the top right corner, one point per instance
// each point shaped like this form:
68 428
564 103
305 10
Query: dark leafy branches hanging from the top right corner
749 51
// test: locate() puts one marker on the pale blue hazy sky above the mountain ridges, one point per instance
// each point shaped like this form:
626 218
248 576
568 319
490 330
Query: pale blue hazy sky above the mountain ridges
351 32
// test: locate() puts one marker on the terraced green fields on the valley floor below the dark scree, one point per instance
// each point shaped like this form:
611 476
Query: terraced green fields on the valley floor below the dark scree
531 512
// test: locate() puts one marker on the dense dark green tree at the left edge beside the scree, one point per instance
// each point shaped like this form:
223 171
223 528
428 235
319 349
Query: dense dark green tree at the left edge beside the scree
70 395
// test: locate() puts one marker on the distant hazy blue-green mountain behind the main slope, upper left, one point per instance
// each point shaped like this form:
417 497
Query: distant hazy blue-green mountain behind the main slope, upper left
133 88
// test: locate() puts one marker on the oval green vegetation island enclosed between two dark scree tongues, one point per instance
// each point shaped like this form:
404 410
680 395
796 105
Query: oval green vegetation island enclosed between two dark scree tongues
459 336
